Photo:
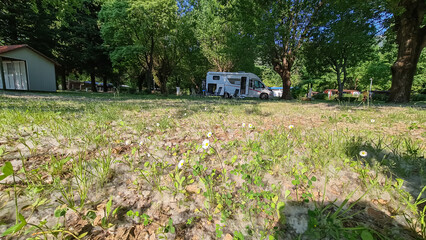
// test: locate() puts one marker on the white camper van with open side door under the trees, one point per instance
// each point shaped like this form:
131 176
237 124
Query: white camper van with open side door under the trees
236 84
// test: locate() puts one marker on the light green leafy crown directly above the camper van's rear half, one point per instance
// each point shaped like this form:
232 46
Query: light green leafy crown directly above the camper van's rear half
222 39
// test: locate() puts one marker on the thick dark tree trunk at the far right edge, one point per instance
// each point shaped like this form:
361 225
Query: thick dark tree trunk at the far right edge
411 40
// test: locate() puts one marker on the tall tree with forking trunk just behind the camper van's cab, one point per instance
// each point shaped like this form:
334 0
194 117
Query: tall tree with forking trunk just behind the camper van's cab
282 27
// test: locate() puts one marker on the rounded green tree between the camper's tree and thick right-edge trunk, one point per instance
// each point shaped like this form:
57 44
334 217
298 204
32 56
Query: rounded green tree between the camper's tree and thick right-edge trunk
342 38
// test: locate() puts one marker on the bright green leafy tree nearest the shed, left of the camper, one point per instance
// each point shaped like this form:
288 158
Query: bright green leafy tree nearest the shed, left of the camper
134 29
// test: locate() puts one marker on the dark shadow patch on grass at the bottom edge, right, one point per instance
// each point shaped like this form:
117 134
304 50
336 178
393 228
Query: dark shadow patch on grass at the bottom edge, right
363 220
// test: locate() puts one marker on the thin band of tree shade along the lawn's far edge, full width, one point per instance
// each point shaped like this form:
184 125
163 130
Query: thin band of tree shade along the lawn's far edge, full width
177 101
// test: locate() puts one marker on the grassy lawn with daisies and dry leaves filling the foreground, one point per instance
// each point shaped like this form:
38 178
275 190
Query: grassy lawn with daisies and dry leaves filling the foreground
99 166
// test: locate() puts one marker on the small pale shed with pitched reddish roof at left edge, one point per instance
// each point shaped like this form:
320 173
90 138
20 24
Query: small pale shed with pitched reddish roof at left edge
24 68
